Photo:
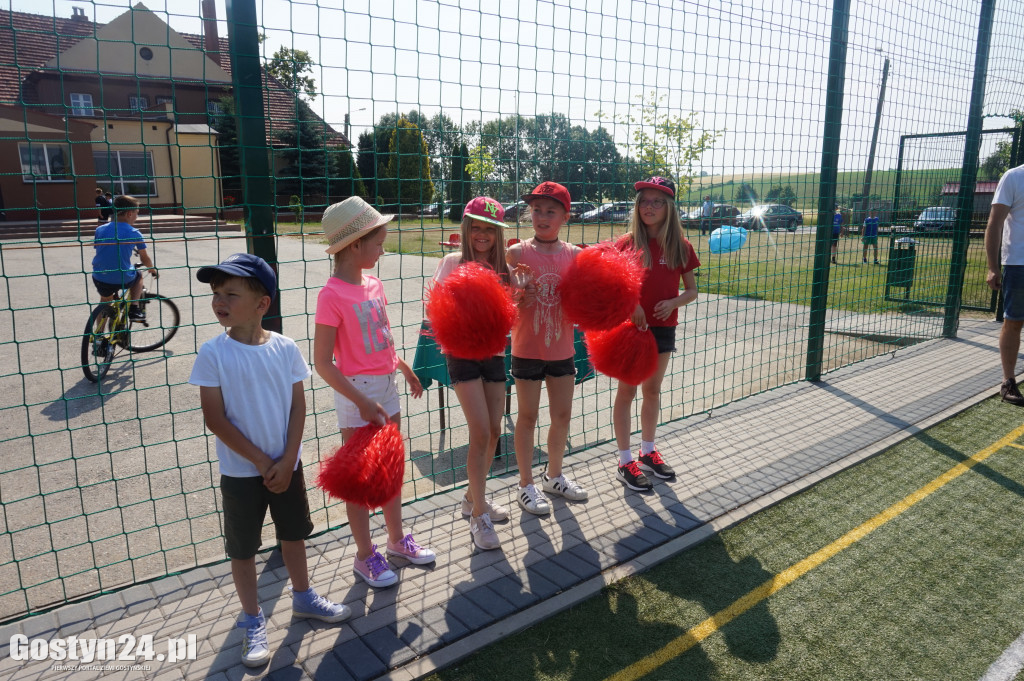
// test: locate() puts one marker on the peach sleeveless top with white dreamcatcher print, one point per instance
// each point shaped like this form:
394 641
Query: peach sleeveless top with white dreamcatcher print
543 332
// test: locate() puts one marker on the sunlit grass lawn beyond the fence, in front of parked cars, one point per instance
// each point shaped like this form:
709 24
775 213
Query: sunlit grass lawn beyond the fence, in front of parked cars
777 267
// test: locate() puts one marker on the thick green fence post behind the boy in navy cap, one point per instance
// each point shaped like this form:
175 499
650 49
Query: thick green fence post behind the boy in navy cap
254 155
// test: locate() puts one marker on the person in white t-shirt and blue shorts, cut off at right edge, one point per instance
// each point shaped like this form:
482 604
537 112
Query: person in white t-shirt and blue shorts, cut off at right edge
1005 244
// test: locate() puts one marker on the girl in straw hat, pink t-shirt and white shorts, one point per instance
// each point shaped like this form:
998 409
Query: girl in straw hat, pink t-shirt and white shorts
354 352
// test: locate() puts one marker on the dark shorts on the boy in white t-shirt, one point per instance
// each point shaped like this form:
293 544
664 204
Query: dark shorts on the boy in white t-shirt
246 501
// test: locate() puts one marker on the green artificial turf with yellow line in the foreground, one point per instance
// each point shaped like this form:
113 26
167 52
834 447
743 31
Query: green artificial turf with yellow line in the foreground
909 566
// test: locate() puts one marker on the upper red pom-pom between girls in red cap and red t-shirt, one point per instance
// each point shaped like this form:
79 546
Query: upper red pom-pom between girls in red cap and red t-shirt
603 287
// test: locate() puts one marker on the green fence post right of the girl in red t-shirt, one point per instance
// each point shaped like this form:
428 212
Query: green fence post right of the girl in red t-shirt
827 188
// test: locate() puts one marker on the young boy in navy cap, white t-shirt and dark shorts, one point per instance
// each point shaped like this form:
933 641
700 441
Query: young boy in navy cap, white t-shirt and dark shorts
251 391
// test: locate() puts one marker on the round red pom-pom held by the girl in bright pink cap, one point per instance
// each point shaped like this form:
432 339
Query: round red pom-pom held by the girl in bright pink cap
472 313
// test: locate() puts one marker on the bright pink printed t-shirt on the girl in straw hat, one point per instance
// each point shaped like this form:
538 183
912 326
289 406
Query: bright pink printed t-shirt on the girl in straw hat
363 345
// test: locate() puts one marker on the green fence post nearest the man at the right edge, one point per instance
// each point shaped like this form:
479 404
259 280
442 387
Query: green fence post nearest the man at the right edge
969 175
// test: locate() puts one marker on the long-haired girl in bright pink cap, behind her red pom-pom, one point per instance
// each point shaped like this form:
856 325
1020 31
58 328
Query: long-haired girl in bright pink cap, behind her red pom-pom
480 385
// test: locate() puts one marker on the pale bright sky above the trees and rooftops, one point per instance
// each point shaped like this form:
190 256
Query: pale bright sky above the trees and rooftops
753 70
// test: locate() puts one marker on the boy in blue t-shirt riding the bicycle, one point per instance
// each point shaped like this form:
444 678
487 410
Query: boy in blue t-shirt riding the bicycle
112 267
